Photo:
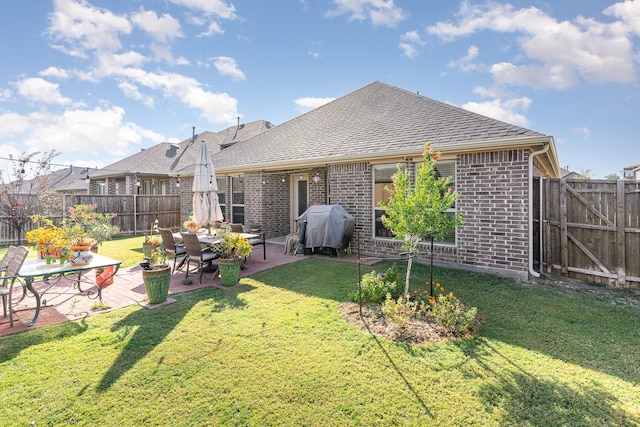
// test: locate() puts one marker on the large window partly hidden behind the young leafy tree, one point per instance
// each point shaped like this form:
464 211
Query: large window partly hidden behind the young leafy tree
382 177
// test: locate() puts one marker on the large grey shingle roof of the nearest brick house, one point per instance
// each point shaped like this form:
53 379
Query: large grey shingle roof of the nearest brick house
375 121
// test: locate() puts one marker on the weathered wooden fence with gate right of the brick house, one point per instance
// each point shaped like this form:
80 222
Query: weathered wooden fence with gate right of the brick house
590 229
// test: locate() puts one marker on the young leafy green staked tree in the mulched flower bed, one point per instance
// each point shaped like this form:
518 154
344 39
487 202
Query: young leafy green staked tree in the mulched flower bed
418 211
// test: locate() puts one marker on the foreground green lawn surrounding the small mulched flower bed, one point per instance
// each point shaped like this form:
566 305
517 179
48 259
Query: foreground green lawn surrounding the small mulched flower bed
274 351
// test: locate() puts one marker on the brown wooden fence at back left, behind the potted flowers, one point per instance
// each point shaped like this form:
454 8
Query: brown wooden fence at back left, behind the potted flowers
135 214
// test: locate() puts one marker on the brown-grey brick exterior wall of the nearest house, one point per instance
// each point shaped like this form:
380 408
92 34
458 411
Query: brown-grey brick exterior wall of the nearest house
493 201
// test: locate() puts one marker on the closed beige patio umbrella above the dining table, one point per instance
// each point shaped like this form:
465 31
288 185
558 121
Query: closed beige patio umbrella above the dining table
206 208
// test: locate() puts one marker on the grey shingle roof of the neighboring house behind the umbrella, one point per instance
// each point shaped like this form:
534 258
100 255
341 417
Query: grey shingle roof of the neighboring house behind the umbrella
168 159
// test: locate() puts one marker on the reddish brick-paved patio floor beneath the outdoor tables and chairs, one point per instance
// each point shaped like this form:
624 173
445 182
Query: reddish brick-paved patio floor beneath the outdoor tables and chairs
128 288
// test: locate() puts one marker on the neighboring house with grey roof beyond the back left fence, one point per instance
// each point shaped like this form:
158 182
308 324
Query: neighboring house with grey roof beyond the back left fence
155 170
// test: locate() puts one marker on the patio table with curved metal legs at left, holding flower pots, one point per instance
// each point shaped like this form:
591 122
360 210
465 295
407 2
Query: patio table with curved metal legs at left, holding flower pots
51 274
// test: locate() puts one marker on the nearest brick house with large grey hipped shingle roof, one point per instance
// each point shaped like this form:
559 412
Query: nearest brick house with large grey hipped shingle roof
346 151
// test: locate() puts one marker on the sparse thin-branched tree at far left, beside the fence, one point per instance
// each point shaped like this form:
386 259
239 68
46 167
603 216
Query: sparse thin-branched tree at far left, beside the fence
27 192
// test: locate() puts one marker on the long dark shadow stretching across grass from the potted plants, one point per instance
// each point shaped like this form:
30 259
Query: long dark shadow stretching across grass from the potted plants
152 326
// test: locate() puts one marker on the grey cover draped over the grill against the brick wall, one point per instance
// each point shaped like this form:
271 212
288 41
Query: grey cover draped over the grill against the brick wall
329 226
